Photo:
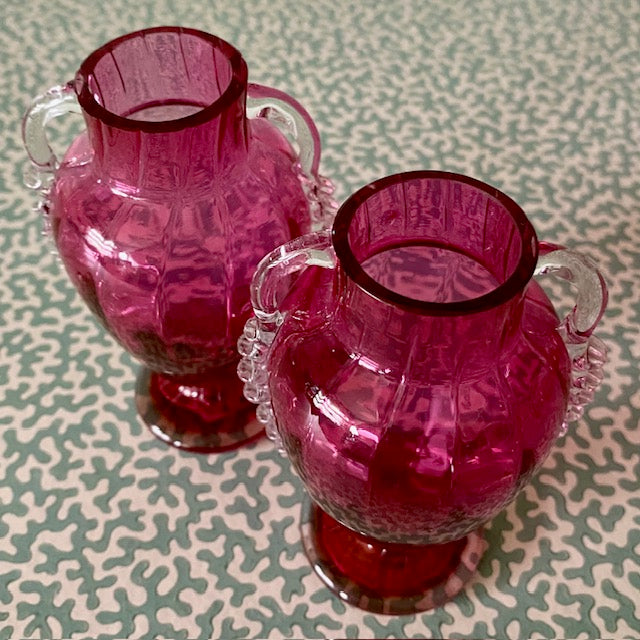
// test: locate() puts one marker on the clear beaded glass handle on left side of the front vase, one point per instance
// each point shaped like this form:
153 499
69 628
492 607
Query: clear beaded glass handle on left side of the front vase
269 287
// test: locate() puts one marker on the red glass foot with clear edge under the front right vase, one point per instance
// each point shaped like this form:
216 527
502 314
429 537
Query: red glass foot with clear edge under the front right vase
387 577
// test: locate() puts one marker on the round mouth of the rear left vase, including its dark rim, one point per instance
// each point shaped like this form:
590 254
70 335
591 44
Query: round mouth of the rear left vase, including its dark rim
161 79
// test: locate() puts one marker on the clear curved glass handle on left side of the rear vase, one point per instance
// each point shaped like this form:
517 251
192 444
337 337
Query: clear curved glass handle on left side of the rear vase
57 101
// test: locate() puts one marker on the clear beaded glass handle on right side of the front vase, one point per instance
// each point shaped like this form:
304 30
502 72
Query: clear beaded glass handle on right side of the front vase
587 352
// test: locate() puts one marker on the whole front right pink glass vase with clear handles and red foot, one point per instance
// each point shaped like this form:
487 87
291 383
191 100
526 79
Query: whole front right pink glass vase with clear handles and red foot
417 376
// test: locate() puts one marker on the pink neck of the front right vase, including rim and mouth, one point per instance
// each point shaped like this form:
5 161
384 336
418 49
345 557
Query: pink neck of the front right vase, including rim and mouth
433 267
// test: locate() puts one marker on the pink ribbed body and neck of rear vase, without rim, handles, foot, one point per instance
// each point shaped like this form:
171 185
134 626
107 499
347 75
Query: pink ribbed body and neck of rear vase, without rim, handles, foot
161 231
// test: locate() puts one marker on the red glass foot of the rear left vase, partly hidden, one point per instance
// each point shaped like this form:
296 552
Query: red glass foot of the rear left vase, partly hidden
202 414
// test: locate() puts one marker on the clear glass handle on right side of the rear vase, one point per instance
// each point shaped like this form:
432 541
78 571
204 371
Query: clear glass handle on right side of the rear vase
293 121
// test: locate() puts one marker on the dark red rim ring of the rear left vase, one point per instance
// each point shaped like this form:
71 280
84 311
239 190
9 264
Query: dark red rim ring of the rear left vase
89 104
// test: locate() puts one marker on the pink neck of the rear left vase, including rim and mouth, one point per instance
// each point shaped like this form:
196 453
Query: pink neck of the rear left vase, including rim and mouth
165 108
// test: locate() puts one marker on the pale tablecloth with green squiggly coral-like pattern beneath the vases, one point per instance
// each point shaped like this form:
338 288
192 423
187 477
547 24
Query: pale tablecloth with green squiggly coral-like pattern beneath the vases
106 532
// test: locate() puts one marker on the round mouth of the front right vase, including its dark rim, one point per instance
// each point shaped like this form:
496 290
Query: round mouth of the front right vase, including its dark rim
435 243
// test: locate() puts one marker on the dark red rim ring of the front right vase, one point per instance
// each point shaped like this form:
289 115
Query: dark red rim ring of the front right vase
512 286
